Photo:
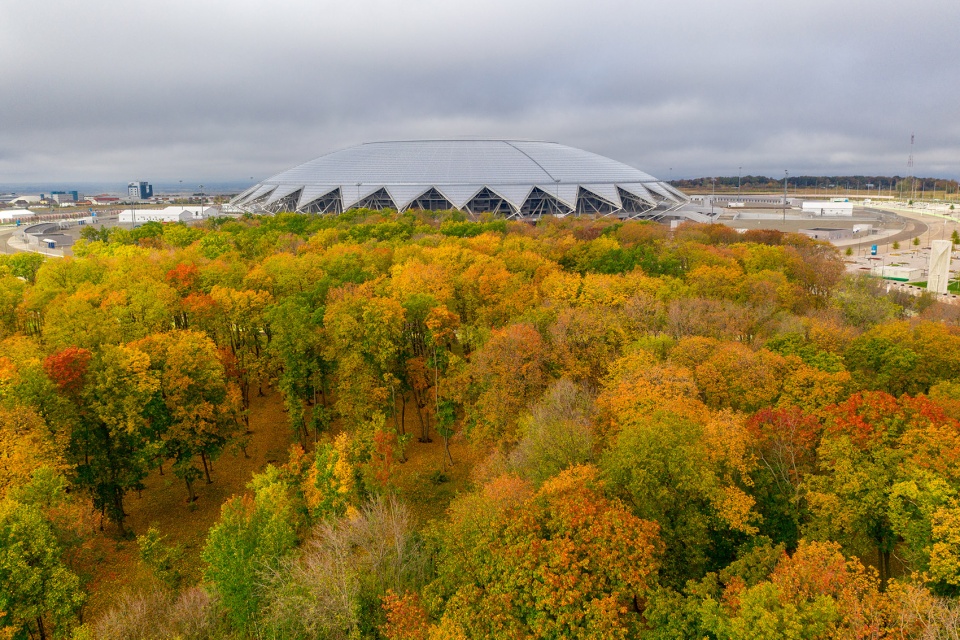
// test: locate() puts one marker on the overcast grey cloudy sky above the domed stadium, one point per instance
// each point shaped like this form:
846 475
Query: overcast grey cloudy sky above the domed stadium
228 90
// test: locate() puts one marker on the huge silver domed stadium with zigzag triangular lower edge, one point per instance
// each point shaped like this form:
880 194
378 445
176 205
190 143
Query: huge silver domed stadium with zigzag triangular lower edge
513 177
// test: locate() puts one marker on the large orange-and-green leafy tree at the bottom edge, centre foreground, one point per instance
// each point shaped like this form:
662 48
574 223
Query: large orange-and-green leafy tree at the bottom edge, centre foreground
565 562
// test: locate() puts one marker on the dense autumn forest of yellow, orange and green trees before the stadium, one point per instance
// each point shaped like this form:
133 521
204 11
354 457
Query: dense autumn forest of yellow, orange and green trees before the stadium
427 427
